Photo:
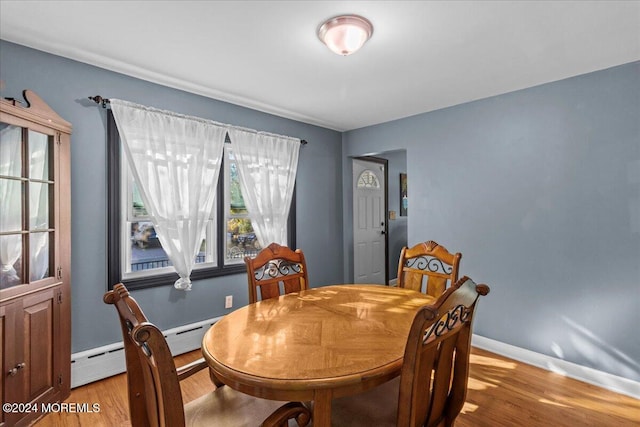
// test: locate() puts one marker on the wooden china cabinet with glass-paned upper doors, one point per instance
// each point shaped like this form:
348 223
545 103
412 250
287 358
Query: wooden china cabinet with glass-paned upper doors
35 258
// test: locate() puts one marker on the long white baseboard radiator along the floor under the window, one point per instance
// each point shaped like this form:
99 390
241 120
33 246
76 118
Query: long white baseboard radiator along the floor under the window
102 362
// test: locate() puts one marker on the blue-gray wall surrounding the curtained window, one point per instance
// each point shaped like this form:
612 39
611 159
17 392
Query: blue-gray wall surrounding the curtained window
65 86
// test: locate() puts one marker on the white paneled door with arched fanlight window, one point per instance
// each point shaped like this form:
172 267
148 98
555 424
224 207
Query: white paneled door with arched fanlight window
369 243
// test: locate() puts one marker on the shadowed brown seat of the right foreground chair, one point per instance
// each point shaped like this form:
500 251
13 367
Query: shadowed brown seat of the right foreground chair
376 407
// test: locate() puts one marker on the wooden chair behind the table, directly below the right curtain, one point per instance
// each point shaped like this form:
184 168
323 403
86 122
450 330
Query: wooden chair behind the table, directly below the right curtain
276 270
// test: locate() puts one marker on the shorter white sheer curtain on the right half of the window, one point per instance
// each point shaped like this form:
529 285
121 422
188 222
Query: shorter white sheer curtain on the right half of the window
267 166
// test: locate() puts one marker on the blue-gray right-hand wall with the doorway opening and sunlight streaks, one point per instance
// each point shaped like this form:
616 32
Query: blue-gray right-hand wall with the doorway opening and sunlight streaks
540 191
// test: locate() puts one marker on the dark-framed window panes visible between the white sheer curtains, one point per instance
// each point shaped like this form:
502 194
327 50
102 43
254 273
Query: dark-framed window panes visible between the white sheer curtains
136 256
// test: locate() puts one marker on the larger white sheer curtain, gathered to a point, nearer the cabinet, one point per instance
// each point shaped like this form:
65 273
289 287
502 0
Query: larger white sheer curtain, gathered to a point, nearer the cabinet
175 160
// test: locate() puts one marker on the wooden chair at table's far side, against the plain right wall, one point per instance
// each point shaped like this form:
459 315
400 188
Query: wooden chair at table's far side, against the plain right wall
428 267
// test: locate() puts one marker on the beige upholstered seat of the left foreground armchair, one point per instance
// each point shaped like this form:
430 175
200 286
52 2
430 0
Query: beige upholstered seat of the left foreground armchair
228 407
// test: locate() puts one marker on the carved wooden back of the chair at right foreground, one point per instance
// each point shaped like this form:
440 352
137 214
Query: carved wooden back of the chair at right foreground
435 370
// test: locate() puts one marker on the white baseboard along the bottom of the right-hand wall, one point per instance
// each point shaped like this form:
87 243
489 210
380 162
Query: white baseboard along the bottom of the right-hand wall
568 369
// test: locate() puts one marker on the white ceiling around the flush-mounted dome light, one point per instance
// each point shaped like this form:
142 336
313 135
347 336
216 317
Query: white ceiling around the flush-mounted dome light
265 55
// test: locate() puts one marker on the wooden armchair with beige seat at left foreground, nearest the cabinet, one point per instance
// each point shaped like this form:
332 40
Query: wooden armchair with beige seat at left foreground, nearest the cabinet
155 397
